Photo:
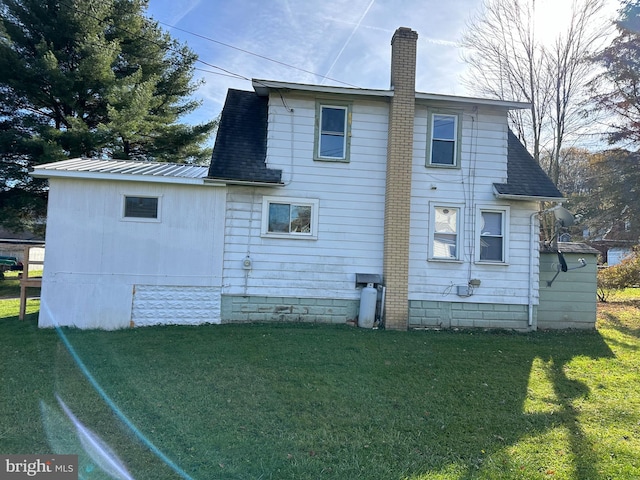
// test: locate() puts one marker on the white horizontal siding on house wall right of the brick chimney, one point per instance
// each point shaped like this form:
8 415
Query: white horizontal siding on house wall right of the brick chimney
483 151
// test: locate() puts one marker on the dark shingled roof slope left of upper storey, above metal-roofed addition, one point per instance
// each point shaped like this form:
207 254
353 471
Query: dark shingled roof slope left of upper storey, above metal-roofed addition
240 150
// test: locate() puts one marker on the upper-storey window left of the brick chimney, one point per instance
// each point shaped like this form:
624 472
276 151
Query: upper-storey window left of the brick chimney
332 137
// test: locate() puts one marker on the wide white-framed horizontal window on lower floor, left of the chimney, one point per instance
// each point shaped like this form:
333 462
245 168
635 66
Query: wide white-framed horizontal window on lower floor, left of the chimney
284 217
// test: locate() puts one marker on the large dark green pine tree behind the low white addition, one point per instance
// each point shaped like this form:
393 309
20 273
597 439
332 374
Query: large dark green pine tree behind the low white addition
88 78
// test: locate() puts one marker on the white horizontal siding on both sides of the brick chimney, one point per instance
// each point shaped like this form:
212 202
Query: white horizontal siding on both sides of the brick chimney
351 218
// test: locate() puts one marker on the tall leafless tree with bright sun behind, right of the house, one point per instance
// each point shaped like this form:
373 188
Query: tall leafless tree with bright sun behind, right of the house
509 61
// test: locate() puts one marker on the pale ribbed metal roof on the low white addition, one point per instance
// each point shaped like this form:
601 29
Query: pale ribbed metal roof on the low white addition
123 170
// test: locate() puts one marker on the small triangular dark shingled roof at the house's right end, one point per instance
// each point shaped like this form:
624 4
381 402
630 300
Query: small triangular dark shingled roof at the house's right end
524 176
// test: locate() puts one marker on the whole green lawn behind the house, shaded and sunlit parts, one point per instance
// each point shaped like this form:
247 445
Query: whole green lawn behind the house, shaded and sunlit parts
320 401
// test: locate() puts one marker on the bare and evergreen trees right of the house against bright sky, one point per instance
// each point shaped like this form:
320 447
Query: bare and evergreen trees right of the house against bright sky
582 83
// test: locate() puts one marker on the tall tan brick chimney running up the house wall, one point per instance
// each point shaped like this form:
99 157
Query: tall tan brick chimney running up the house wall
398 191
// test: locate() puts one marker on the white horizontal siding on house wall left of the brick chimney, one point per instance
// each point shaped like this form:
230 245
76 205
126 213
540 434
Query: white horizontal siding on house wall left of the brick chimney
350 216
